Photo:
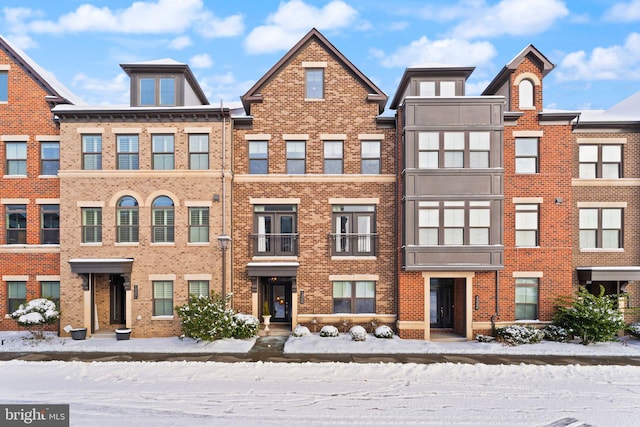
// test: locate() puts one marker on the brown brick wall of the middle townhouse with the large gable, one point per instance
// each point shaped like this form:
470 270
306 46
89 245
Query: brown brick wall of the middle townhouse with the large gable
344 110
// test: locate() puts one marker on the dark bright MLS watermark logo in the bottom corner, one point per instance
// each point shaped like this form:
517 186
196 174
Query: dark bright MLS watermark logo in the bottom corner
34 415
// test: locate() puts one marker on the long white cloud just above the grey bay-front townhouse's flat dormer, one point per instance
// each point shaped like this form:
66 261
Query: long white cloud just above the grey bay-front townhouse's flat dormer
448 51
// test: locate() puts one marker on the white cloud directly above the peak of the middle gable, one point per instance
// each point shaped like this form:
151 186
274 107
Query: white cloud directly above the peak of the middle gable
293 19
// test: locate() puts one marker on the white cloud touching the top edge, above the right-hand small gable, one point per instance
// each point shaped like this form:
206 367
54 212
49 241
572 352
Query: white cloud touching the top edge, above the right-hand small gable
510 17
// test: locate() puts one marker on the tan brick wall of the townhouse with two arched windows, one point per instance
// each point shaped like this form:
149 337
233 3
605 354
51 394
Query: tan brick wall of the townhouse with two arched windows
184 187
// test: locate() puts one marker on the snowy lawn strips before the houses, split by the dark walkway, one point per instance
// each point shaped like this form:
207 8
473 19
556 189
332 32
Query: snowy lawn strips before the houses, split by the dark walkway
22 341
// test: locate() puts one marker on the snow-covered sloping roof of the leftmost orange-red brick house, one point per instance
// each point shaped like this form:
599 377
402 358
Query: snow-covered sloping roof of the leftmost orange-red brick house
57 93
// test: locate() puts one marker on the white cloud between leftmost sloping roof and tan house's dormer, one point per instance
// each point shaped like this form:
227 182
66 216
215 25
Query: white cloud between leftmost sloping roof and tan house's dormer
96 91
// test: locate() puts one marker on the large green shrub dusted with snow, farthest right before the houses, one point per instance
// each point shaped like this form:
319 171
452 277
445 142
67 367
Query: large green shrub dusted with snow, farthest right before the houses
592 318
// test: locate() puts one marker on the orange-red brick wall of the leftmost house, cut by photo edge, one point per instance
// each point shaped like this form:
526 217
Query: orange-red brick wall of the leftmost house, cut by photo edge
25 113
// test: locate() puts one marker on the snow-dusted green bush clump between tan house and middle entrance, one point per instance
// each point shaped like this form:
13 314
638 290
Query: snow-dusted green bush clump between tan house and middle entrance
206 318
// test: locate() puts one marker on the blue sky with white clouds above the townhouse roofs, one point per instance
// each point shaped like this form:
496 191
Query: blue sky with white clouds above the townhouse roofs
595 44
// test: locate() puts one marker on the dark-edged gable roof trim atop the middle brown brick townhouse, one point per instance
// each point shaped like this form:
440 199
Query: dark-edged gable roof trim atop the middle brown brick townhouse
254 95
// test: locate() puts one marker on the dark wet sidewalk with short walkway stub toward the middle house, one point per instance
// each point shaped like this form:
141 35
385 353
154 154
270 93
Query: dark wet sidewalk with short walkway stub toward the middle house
271 349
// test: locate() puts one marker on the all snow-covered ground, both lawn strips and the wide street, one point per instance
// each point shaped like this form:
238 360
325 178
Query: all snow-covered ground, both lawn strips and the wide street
328 394
